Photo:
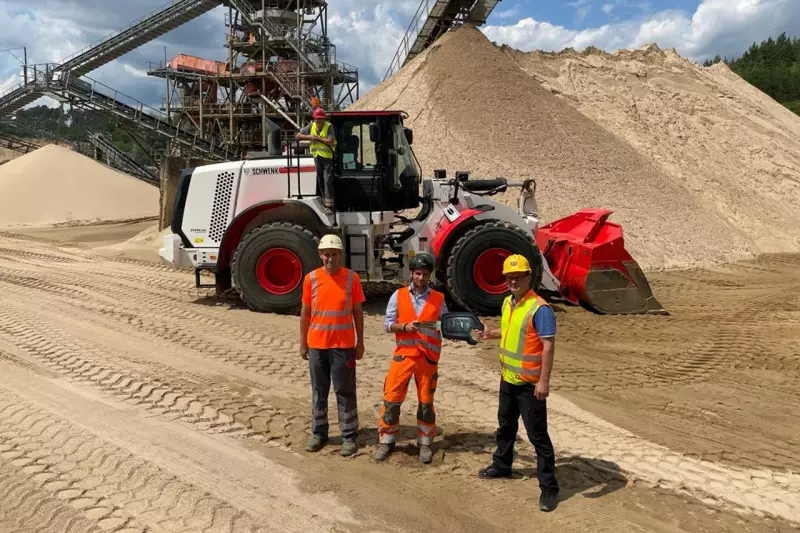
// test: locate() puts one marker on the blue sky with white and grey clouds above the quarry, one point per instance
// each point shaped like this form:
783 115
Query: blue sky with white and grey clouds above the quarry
367 32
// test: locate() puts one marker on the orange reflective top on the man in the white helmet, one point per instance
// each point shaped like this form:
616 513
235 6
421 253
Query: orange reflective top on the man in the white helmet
332 324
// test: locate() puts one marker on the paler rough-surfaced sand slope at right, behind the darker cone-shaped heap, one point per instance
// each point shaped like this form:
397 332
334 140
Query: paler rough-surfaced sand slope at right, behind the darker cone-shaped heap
726 142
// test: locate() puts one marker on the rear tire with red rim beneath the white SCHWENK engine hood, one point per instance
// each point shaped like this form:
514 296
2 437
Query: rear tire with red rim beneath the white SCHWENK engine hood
269 266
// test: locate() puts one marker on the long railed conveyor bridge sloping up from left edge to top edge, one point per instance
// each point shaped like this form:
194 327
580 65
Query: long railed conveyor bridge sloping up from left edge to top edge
144 30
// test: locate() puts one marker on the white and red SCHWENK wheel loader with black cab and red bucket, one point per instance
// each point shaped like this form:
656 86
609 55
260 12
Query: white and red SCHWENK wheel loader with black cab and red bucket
256 224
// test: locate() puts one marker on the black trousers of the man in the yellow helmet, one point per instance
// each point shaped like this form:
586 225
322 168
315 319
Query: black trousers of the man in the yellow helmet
516 401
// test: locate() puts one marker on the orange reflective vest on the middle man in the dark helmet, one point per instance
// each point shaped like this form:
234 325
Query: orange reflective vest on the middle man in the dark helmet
425 341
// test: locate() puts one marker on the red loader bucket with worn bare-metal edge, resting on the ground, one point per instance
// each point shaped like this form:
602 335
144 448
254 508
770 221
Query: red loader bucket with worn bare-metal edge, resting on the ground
587 254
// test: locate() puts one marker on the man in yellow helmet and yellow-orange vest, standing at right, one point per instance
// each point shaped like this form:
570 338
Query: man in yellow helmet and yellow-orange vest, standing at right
527 348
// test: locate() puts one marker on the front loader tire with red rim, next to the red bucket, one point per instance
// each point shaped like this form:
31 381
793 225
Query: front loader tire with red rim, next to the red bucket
475 264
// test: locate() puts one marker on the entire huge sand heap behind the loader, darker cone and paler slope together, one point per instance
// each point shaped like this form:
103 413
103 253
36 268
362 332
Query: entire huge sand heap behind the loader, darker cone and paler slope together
610 131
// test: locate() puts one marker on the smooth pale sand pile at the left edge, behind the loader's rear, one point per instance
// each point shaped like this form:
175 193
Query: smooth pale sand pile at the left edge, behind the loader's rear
55 185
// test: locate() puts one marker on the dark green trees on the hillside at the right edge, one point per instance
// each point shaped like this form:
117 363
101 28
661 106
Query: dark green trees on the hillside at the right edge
773 66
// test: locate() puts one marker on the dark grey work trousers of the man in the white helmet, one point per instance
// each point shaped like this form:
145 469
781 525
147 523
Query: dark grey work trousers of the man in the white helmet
338 365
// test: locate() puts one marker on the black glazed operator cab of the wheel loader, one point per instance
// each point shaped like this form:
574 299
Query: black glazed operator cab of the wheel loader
374 166
